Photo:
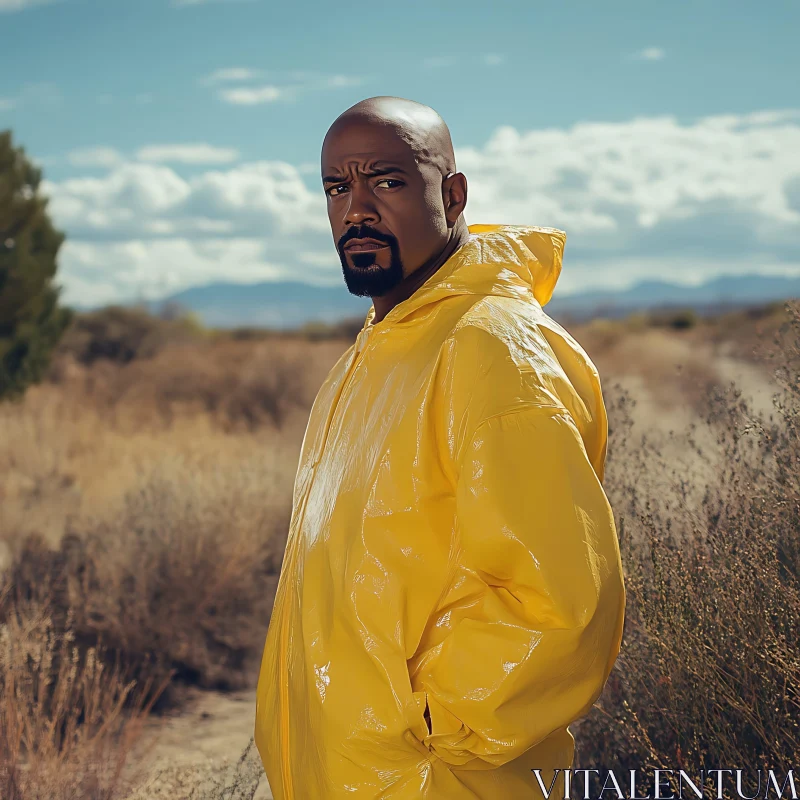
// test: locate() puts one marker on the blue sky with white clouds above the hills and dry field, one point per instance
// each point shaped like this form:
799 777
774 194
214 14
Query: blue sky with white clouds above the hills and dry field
180 139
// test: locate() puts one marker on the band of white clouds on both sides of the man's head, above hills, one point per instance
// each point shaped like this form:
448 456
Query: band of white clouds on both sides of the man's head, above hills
647 198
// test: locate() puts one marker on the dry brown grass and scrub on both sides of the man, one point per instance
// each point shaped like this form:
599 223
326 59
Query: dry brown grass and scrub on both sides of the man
145 499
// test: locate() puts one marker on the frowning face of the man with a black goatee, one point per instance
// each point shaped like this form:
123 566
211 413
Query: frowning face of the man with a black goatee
386 210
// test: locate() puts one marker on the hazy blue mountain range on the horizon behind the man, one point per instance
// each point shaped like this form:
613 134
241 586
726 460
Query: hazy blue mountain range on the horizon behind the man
289 304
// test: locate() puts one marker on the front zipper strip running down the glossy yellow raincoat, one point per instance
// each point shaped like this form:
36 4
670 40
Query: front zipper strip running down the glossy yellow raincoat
283 677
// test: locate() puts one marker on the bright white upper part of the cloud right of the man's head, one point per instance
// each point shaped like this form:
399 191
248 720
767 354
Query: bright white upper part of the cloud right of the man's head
598 176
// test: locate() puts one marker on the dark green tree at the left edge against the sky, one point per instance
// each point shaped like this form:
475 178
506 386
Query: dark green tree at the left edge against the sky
31 321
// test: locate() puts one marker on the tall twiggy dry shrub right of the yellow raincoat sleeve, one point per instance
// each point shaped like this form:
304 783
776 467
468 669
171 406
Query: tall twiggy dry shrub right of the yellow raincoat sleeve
709 672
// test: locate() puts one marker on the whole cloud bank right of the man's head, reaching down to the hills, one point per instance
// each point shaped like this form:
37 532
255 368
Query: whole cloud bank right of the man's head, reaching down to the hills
697 199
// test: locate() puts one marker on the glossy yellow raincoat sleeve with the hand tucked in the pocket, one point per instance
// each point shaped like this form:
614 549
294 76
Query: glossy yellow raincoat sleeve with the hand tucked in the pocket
531 625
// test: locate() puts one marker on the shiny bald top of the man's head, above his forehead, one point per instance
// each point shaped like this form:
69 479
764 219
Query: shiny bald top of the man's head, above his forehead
419 126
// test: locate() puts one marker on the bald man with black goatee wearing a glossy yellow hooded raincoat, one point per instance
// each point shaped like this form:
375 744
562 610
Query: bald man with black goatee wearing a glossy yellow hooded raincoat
451 595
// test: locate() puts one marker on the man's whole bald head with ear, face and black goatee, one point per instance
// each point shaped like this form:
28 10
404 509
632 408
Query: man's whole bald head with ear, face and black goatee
394 196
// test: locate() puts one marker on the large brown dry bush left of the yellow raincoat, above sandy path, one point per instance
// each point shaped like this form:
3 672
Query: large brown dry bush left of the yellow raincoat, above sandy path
181 578
